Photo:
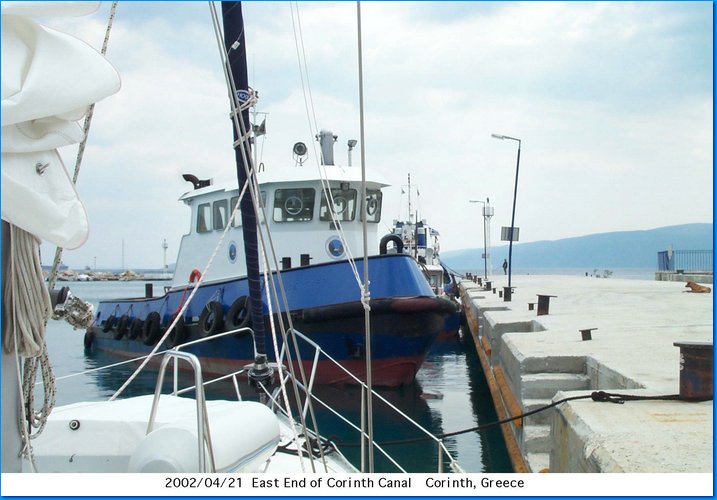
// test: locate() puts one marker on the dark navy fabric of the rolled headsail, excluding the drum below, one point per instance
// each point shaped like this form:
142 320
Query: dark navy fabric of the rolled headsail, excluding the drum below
234 43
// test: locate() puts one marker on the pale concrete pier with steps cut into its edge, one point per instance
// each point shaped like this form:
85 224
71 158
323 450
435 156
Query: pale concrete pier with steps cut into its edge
531 360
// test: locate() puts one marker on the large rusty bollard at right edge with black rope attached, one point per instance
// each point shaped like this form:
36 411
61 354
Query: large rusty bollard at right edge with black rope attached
696 370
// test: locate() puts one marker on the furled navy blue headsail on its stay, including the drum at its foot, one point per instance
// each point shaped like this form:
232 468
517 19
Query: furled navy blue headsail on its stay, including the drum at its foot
241 101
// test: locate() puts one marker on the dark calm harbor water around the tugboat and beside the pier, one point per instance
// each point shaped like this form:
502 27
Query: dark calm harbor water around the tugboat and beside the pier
449 394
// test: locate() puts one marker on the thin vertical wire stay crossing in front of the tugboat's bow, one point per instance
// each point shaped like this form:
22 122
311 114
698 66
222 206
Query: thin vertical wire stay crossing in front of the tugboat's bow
365 294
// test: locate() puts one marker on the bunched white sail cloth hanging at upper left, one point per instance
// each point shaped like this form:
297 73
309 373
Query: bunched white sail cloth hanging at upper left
49 79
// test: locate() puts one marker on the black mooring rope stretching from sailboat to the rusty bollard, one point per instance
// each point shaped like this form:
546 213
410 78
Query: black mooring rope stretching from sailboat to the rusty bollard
597 396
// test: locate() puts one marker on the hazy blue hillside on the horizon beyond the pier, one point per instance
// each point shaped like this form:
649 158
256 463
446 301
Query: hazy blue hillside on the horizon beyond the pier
624 249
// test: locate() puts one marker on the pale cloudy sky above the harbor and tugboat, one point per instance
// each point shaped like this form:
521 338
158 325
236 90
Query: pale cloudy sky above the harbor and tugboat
612 102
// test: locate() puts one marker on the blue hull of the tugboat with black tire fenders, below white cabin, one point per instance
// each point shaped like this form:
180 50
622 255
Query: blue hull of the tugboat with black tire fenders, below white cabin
324 299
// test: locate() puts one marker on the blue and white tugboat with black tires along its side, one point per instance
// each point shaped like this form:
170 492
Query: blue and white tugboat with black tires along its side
315 217
